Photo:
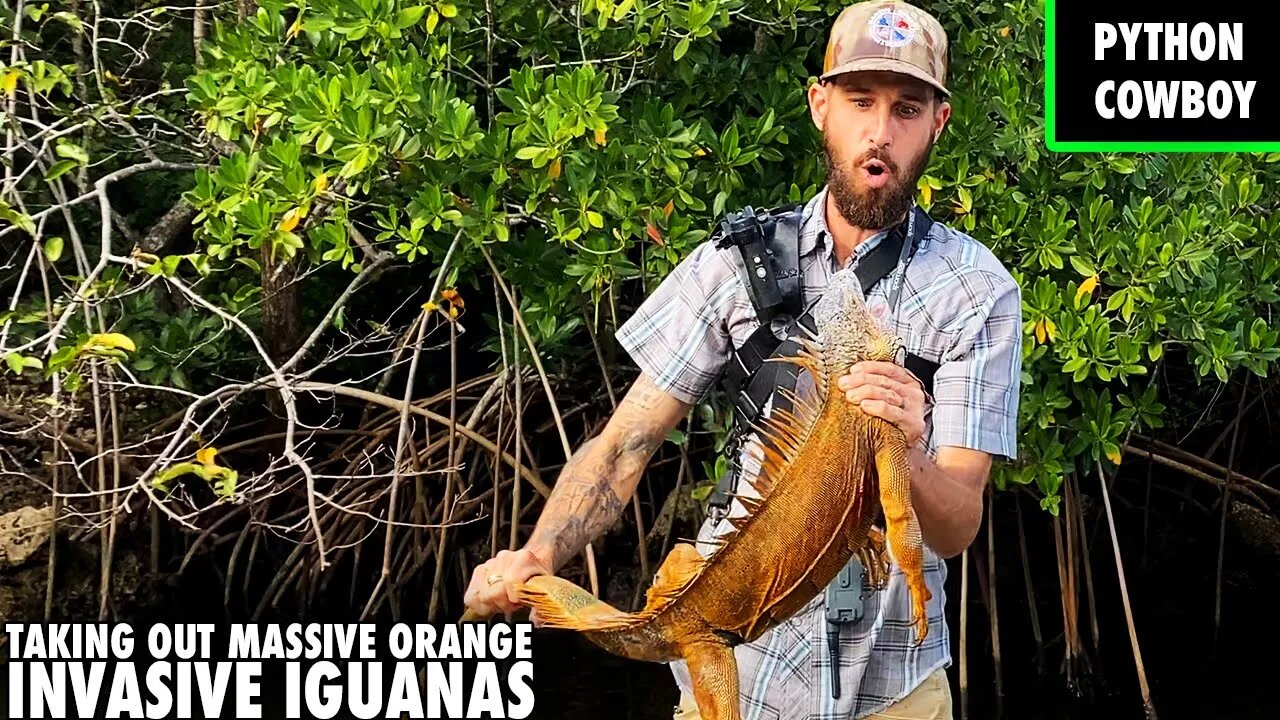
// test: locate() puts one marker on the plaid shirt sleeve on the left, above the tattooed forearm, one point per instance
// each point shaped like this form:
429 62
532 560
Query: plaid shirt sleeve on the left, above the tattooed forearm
680 335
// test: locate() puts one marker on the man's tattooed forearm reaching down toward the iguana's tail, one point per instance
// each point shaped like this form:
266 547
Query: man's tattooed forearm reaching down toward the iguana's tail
598 481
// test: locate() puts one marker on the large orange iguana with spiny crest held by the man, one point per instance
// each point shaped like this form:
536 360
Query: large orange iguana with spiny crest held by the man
822 485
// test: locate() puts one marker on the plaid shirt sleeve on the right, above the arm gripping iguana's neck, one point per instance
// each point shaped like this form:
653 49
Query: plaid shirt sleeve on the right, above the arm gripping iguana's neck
977 385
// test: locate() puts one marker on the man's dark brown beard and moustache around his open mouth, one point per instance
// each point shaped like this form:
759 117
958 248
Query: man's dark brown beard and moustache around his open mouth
875 208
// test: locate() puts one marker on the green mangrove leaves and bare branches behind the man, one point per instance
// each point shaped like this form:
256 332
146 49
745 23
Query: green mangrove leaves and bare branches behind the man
418 162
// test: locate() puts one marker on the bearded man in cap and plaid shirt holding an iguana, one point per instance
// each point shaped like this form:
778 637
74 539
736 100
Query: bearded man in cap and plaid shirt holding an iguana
881 106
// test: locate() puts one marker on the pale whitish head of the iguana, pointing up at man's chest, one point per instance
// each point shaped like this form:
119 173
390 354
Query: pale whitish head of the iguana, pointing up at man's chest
847 330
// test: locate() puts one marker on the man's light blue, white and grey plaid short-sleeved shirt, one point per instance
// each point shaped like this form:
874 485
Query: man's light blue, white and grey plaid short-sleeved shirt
959 307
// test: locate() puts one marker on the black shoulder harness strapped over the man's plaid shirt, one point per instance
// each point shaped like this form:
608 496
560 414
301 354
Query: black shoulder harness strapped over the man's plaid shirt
769 243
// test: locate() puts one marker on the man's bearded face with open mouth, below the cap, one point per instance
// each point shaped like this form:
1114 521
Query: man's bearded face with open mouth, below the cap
879 130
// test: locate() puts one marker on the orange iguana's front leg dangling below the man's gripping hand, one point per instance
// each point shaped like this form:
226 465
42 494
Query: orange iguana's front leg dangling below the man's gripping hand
904 528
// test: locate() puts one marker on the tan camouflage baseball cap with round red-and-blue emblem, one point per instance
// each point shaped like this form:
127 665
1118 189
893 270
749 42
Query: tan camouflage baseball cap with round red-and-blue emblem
888 35
